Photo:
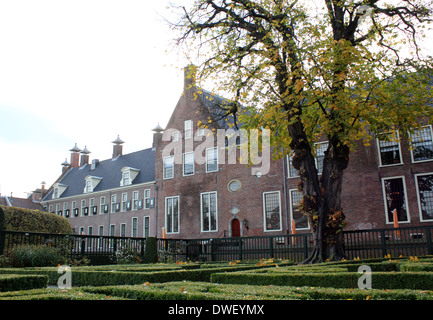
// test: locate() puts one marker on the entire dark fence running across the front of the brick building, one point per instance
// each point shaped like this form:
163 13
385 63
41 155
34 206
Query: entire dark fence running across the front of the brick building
407 241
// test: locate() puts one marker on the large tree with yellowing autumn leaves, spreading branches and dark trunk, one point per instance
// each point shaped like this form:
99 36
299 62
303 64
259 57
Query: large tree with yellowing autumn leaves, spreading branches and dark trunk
340 70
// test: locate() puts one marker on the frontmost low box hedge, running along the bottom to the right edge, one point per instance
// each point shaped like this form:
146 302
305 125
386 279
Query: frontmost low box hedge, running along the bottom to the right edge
187 290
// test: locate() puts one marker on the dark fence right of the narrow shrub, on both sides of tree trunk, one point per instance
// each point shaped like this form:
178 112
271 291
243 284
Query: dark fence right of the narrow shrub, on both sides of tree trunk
409 241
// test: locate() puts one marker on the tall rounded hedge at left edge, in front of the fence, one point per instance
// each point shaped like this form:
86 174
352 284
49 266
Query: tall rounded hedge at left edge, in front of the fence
20 219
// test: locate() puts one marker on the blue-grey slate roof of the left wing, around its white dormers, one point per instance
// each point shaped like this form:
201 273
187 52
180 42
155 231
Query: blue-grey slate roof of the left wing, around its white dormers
110 172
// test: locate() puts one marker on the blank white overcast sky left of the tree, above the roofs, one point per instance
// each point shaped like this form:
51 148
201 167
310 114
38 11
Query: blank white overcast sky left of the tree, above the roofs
81 71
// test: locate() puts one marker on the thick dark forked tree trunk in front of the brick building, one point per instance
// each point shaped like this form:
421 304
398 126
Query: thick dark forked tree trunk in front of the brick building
322 197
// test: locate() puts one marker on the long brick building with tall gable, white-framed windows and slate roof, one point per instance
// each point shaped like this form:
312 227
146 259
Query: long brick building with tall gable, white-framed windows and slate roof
188 186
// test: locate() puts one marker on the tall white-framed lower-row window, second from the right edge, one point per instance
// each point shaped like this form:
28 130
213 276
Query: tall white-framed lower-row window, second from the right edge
395 199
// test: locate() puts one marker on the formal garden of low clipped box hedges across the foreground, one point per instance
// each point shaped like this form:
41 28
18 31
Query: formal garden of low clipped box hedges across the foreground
402 278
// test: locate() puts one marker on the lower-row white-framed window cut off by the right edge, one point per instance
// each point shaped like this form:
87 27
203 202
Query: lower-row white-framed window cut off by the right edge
424 187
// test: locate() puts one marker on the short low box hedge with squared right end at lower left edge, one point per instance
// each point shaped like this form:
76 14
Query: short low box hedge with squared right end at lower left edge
12 282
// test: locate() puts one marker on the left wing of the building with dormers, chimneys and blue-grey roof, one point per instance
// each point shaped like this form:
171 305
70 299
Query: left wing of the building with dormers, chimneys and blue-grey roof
112 197
